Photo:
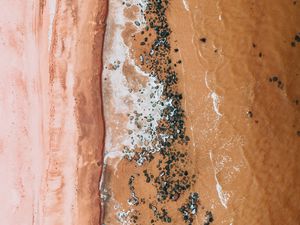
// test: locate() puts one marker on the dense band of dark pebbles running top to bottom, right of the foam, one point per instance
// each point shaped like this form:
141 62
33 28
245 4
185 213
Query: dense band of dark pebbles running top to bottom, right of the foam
173 180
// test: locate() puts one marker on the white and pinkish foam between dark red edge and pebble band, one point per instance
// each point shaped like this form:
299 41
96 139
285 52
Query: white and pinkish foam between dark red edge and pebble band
127 101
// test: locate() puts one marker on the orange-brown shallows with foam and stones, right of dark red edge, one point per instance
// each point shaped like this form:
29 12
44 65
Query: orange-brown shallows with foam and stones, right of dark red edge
237 70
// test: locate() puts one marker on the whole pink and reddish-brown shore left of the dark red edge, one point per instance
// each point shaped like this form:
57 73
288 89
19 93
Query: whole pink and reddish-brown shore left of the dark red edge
51 115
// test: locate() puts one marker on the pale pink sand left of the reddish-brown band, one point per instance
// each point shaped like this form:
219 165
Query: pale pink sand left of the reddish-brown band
38 134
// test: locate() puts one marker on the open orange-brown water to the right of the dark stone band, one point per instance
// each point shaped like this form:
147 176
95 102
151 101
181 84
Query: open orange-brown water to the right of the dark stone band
262 146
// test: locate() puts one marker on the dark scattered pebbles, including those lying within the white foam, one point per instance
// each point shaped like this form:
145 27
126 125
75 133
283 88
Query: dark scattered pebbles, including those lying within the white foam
171 177
